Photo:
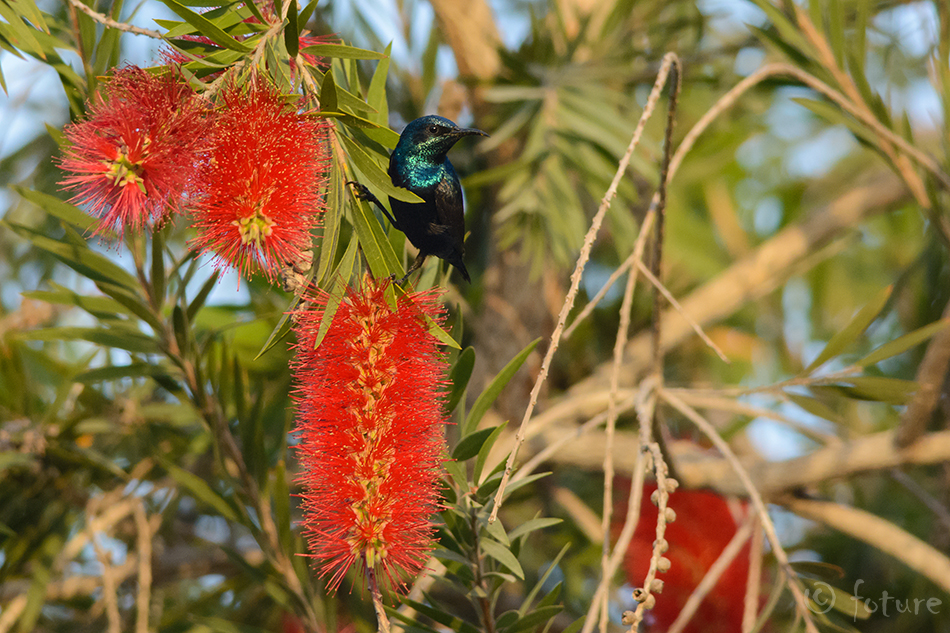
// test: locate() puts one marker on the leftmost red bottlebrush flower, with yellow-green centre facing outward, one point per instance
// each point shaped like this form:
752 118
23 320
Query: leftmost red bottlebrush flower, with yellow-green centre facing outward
132 160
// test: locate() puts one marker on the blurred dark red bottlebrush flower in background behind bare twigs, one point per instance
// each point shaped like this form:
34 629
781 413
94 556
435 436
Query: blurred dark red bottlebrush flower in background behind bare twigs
704 526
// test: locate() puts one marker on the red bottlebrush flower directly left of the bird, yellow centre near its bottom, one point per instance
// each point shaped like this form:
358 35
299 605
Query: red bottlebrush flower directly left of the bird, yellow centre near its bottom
258 194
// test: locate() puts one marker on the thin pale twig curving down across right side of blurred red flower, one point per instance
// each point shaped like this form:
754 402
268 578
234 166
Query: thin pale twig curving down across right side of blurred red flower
703 425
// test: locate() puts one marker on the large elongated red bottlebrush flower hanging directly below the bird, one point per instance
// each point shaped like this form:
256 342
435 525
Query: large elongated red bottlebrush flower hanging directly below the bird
371 443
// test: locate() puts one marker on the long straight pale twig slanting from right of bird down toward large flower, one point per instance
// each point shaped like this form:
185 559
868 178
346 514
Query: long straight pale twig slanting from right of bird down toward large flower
668 61
